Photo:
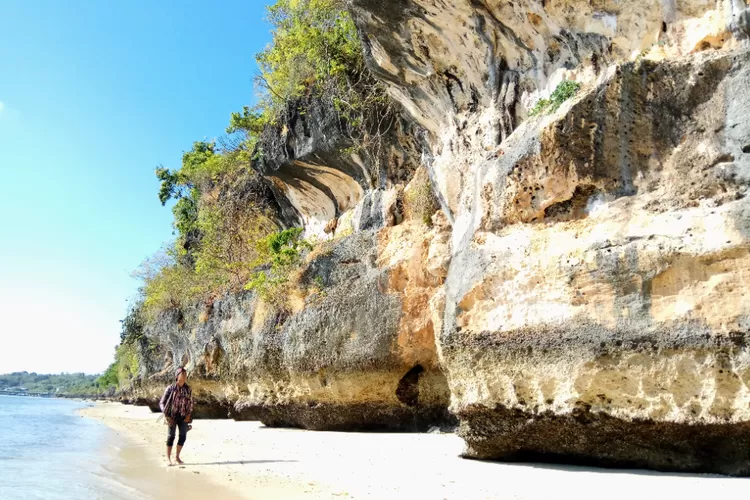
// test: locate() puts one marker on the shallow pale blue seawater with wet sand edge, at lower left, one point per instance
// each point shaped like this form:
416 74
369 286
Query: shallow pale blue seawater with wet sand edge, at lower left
47 451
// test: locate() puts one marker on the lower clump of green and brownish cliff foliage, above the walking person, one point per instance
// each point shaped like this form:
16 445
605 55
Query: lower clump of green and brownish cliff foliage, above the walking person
221 208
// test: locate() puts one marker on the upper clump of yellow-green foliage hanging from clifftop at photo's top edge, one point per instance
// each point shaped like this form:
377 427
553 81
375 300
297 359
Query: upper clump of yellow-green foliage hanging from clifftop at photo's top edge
316 54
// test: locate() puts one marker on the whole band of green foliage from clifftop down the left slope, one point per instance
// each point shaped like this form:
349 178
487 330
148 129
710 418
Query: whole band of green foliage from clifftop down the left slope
222 233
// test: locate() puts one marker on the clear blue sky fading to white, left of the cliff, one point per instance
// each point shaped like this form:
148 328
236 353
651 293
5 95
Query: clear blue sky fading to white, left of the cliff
93 96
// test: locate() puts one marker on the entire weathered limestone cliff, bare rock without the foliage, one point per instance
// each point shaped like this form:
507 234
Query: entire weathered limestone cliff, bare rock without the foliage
581 295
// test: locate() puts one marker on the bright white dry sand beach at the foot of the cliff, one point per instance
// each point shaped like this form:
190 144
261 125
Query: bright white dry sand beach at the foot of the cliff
251 461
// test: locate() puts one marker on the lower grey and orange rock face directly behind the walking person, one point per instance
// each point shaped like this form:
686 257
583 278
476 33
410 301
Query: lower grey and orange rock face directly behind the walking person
355 355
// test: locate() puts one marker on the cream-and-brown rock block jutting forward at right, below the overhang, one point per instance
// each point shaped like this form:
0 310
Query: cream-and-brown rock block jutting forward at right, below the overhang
625 320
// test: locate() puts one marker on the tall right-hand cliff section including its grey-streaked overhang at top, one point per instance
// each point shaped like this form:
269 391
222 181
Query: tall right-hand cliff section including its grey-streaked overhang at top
595 306
